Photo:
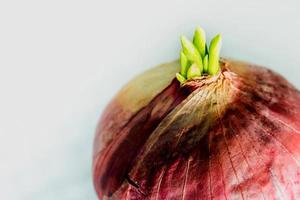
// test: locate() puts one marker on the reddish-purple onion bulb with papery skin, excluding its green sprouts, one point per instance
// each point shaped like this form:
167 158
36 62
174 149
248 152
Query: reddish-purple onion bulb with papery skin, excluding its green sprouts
232 136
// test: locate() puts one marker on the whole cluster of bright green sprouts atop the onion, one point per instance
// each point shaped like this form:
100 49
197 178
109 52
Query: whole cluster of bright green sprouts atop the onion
196 58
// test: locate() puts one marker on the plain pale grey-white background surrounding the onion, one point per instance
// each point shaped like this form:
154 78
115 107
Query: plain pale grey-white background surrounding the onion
61 61
